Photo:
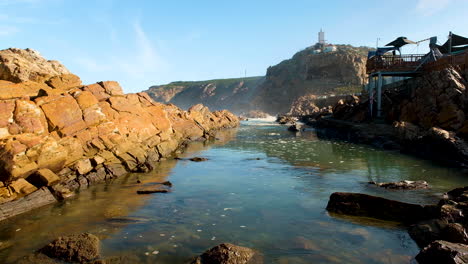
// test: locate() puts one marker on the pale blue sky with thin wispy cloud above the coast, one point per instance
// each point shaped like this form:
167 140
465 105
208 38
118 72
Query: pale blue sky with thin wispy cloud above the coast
142 43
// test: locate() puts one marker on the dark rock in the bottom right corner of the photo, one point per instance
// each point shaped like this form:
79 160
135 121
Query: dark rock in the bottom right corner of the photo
440 251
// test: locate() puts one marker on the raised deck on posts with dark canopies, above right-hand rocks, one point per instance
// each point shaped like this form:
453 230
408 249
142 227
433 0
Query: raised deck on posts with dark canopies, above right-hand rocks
385 65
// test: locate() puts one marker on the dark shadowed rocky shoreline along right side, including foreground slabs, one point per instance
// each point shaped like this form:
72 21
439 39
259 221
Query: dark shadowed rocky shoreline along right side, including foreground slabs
423 116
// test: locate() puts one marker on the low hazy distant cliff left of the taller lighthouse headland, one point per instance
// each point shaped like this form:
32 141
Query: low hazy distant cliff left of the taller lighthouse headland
233 94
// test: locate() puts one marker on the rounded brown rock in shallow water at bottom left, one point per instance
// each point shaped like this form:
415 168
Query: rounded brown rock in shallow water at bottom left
75 248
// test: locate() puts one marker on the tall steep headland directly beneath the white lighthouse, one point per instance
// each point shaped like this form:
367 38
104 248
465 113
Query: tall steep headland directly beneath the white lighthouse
307 73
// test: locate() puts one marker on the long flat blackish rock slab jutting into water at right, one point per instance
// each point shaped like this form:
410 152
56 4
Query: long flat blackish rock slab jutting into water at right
377 207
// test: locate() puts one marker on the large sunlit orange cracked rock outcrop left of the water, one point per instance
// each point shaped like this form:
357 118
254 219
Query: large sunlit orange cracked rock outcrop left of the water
57 135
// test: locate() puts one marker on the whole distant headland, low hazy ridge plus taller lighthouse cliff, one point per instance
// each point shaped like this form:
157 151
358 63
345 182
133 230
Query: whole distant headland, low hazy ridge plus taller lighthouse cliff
305 73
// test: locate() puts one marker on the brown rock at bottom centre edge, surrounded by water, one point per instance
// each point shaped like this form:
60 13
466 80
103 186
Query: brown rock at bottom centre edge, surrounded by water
229 254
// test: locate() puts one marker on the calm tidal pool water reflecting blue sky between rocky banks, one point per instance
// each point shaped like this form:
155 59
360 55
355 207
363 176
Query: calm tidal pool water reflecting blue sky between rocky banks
262 187
